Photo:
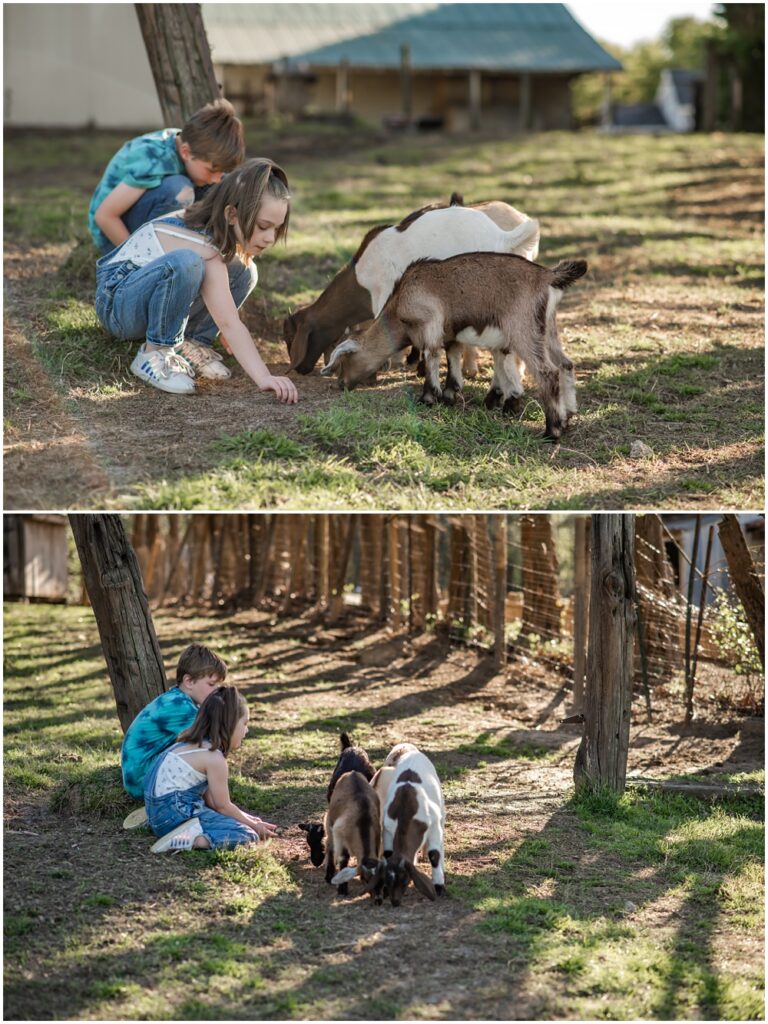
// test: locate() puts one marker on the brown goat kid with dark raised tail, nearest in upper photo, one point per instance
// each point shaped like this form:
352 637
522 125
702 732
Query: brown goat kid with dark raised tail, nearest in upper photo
497 302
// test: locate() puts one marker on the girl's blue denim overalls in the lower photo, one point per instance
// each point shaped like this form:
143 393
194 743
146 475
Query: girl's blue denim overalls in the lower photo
166 813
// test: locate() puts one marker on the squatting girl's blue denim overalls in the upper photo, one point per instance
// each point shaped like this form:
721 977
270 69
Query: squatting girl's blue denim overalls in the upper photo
161 301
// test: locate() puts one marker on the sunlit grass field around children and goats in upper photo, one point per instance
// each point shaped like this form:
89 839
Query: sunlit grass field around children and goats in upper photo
666 333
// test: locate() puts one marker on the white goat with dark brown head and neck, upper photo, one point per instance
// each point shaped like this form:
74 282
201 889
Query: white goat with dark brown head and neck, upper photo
360 290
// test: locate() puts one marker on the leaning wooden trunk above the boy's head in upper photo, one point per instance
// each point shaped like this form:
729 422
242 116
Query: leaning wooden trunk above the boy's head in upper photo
180 58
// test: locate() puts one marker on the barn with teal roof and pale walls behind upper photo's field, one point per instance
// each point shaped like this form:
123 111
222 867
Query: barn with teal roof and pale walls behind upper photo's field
503 68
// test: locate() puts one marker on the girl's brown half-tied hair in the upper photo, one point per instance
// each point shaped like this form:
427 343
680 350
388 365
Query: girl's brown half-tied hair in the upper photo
243 191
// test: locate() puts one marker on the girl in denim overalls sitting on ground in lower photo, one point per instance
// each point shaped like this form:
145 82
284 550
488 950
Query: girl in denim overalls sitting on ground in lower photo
187 793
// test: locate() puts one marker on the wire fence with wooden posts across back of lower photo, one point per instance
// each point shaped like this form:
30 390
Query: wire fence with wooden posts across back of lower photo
517 587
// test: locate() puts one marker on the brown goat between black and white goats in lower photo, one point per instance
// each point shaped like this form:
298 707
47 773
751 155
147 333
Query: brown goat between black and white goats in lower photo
353 830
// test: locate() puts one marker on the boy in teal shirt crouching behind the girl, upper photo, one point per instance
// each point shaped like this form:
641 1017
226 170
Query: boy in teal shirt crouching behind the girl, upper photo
158 173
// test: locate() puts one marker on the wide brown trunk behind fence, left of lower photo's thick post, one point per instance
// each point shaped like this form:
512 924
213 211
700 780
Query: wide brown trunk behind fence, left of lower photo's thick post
541 611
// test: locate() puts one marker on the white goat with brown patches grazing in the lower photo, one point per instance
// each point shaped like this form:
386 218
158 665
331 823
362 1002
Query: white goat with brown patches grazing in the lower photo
413 821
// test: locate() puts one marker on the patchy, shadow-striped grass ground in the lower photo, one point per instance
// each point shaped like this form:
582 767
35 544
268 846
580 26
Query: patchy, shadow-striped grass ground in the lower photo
648 907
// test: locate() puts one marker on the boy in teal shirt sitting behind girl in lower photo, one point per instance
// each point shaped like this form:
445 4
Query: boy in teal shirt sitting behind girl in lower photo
198 674
